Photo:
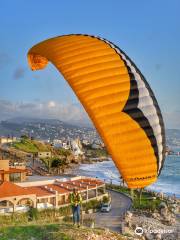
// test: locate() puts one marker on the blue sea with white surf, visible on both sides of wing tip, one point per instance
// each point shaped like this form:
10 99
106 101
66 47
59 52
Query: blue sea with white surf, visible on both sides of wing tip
168 182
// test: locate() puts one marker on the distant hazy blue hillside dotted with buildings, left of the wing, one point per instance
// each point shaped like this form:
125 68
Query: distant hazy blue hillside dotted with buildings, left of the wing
44 129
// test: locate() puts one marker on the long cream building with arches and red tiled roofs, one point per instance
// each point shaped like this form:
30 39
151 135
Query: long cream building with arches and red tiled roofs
47 194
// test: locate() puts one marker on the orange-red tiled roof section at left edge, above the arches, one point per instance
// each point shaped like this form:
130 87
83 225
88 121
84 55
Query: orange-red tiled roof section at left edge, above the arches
9 189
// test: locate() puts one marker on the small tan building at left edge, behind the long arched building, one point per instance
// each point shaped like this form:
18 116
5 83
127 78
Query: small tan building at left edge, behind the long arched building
12 173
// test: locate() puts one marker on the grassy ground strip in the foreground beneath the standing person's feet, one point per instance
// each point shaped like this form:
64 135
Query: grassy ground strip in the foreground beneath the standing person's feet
54 232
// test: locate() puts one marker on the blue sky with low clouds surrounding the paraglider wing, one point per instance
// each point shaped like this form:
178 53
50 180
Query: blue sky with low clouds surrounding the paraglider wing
148 31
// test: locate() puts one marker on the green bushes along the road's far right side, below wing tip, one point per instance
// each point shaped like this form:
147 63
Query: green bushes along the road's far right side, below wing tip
148 200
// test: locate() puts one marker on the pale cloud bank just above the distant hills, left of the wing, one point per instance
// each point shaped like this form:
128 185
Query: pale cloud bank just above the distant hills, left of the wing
69 112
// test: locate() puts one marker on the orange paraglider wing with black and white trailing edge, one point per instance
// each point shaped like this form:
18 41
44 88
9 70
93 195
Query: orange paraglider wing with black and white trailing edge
116 97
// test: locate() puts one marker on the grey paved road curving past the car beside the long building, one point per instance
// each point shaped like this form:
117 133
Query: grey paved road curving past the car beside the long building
120 204
